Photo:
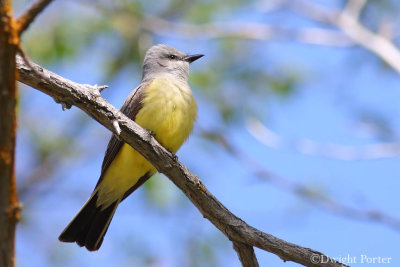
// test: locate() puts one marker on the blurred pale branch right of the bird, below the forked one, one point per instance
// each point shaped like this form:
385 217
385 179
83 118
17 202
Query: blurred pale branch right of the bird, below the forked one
309 147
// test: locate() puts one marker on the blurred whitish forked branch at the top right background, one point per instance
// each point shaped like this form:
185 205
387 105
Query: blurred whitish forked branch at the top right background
349 30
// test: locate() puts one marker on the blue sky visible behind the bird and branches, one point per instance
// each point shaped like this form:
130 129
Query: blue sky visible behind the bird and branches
336 84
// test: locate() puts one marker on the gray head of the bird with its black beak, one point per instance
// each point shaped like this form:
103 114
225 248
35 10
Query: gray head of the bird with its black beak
163 60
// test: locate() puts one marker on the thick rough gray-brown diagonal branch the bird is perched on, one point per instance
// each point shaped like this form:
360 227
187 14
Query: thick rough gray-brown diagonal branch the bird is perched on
89 100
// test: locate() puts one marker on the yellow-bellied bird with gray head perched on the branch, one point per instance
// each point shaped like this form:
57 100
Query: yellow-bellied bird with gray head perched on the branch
164 105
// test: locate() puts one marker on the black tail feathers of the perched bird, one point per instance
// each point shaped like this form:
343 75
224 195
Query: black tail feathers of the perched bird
90 224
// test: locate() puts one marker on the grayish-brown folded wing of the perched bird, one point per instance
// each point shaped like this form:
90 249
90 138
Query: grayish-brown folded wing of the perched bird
130 108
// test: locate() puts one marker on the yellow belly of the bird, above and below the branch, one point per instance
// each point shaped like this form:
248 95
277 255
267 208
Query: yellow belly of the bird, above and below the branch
169 112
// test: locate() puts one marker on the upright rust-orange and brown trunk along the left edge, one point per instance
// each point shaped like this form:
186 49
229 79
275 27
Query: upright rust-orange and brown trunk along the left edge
9 208
